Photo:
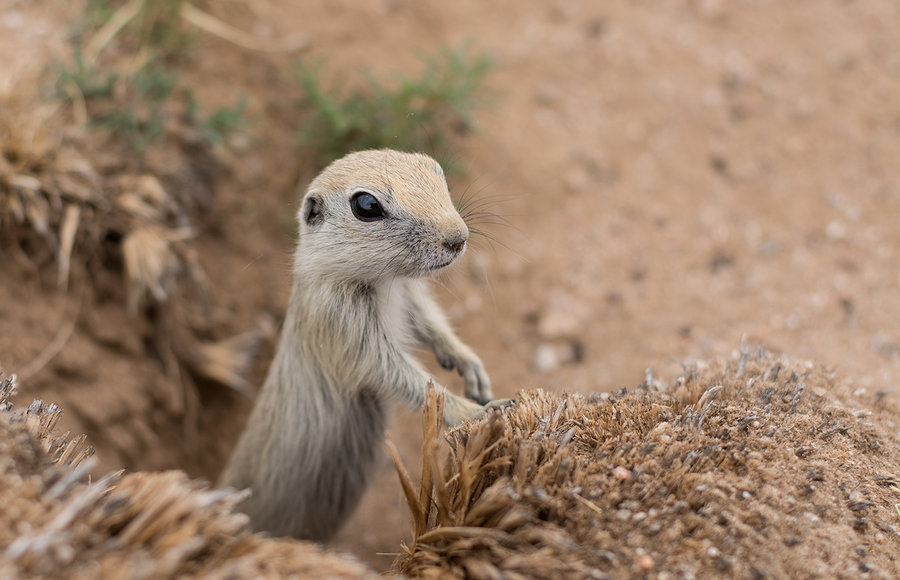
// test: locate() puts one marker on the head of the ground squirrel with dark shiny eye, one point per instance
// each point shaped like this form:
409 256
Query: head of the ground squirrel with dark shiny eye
380 214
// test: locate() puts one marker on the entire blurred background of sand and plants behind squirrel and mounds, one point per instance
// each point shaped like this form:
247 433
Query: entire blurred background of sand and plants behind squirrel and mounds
655 182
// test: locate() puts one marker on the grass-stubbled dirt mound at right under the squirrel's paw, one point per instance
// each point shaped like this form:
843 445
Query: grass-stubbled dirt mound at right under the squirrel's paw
761 467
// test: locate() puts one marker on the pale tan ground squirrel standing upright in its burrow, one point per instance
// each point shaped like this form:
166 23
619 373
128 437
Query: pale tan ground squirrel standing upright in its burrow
373 226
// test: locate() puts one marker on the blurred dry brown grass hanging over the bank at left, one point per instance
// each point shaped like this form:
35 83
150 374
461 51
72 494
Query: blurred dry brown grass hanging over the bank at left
70 201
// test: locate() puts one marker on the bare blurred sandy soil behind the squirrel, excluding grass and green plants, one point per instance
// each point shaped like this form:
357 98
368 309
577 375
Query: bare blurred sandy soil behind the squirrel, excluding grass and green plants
679 176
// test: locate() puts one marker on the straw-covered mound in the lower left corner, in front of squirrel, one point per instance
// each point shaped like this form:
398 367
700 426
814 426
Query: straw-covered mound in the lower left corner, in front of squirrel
55 523
